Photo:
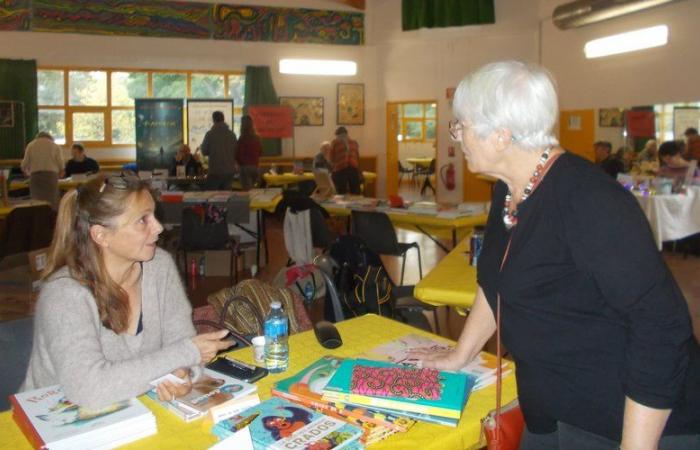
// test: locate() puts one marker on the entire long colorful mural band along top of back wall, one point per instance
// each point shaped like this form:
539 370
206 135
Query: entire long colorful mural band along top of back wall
192 20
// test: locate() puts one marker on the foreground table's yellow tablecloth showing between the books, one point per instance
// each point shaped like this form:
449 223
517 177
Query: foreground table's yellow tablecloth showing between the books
359 335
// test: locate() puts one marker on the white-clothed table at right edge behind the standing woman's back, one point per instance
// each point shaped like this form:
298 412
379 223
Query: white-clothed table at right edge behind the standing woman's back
673 216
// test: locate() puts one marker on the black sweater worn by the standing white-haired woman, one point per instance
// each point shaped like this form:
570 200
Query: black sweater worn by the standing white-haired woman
590 312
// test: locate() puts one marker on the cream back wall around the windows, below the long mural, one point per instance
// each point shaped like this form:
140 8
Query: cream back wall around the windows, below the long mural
61 49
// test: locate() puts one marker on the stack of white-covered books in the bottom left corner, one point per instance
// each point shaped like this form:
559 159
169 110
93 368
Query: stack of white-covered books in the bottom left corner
49 420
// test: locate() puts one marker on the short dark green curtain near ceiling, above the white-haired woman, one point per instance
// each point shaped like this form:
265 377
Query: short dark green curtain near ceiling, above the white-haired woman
417 14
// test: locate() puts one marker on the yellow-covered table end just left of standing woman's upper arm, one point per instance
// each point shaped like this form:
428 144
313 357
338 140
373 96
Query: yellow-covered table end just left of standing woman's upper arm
452 281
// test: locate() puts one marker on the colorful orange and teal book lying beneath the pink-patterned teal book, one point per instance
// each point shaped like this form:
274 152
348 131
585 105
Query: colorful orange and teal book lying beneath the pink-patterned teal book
306 387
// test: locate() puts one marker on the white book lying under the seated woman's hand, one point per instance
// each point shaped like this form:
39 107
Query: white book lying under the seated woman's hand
211 390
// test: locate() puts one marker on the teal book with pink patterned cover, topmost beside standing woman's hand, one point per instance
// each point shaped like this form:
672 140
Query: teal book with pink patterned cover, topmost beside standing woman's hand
443 394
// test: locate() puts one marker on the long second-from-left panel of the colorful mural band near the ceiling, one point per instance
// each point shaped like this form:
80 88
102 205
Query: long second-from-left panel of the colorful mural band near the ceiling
122 17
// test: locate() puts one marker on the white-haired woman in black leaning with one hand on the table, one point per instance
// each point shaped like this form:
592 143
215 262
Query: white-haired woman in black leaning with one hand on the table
597 326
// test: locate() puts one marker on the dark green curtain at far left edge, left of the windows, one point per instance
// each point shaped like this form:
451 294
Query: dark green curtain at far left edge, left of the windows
18 83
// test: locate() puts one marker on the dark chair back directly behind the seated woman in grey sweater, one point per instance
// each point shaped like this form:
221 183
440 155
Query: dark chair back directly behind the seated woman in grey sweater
16 338
